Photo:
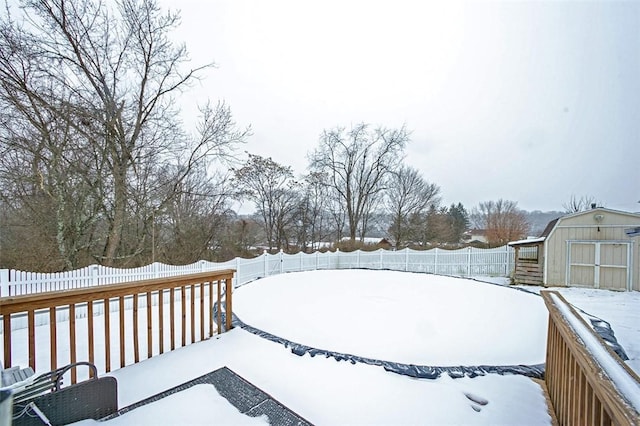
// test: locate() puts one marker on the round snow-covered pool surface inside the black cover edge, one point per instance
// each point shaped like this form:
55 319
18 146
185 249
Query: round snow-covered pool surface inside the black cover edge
409 318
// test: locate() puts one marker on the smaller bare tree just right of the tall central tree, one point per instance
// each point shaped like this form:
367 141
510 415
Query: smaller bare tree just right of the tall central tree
408 196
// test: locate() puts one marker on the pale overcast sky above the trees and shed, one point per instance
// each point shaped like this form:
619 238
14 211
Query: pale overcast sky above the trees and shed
530 102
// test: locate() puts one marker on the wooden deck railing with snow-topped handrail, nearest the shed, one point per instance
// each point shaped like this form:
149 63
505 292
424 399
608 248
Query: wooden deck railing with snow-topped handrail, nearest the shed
588 383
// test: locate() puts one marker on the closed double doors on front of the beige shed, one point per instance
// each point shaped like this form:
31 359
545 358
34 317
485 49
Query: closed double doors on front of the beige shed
602 264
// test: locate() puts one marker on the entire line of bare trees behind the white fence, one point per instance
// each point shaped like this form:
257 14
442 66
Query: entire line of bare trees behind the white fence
95 166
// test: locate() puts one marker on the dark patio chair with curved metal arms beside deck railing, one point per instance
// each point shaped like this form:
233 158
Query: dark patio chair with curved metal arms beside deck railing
43 400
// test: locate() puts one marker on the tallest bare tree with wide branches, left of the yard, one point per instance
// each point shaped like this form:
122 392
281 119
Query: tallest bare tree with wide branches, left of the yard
88 92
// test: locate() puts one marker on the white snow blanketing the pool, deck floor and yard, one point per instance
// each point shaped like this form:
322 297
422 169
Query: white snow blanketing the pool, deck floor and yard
403 317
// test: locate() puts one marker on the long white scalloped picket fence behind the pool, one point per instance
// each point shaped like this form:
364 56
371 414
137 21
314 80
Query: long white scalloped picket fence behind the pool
463 262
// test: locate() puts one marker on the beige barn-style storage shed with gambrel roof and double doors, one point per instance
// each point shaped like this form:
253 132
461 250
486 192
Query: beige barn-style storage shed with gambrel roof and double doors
596 248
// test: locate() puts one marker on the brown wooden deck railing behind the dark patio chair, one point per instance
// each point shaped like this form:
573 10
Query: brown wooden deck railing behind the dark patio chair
172 309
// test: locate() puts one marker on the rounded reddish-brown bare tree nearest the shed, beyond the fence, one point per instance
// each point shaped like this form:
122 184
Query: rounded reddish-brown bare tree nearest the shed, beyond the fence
502 220
